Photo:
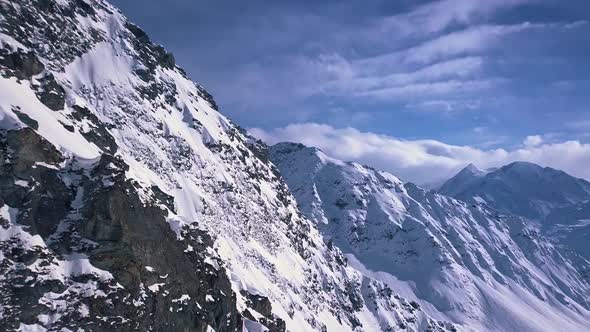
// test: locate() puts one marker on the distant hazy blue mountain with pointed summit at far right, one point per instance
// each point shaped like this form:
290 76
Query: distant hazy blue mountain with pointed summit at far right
558 202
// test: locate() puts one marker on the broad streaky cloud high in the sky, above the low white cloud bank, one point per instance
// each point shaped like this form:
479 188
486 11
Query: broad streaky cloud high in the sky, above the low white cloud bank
436 57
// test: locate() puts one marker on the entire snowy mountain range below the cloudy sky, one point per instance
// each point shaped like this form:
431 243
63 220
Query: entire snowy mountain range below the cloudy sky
129 203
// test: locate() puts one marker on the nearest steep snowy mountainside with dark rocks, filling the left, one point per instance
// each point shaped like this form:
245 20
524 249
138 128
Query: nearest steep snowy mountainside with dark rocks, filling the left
128 202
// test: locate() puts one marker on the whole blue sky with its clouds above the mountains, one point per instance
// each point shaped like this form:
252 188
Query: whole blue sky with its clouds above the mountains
495 75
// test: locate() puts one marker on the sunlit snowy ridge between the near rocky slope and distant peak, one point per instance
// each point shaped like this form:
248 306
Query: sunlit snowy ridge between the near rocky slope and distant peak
462 262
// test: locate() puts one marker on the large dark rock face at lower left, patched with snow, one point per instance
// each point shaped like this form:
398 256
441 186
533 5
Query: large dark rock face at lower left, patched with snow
120 234
